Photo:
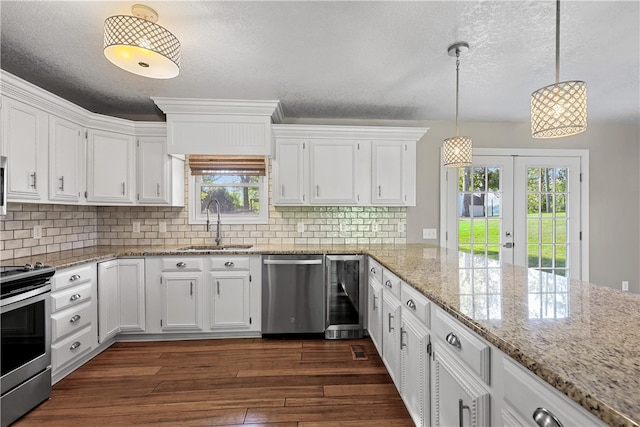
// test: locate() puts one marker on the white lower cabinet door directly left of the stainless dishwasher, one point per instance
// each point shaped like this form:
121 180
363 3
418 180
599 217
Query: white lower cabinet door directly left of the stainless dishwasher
230 300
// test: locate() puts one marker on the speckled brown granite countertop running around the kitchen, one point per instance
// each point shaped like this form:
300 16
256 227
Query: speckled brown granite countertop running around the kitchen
579 337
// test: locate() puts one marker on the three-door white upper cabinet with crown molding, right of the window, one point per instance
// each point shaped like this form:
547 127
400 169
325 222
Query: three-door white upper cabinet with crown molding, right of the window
345 165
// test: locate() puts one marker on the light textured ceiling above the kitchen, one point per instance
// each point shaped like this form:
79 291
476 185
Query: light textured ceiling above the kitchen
351 60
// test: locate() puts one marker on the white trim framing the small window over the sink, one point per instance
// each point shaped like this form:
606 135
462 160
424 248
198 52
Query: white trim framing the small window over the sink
261 218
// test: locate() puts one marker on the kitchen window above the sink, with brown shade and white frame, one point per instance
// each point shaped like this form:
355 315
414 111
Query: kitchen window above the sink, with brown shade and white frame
238 183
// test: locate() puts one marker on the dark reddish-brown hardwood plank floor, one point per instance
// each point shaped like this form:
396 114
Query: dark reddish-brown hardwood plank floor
230 382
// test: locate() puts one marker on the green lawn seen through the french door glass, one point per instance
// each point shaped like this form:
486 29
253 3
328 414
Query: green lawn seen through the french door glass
540 229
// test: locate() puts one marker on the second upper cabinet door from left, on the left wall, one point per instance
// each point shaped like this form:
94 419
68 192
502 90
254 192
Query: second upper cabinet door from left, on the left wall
66 160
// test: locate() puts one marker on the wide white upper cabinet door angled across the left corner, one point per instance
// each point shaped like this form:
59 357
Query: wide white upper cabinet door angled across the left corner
110 167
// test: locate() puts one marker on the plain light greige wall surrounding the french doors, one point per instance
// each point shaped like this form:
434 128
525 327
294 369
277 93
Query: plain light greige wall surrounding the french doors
614 153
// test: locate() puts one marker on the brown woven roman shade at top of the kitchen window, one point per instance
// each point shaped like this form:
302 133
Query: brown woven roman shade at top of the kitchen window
202 164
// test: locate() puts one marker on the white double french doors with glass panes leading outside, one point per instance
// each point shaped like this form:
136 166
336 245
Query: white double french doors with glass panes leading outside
523 209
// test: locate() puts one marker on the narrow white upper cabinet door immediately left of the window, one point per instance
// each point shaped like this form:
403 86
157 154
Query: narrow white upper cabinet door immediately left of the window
152 170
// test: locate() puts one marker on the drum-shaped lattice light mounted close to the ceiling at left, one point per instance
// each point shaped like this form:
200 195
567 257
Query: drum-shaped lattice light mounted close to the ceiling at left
138 45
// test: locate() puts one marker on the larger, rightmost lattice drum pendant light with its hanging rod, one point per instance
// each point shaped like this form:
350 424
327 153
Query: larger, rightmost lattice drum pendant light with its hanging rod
559 109
